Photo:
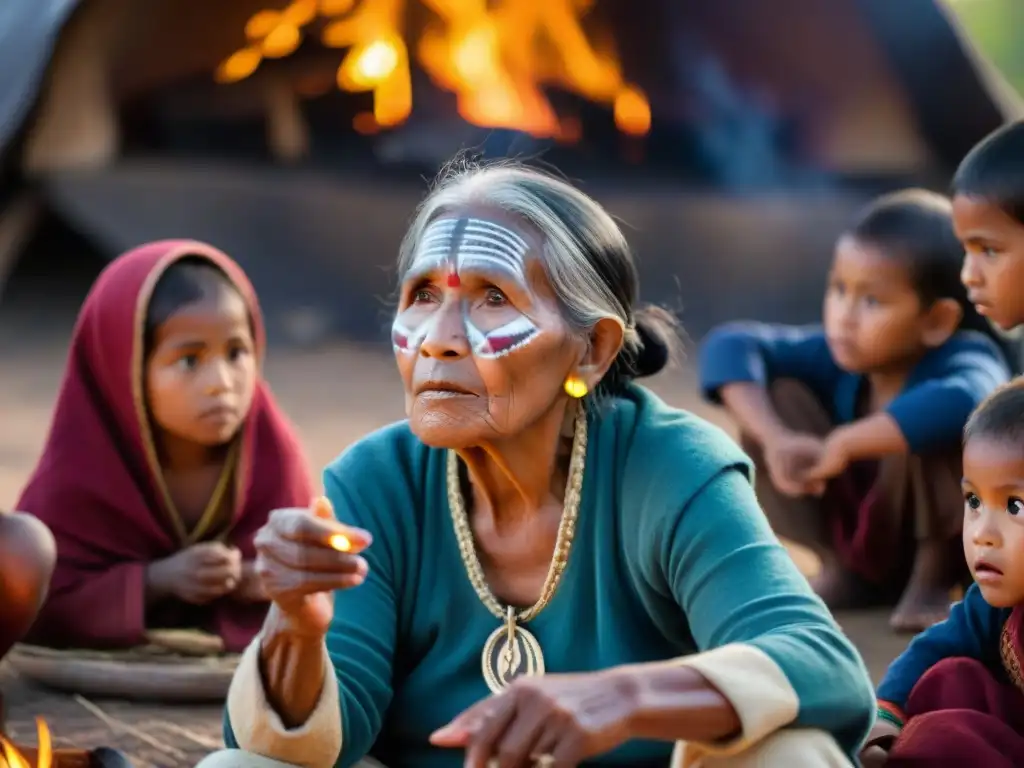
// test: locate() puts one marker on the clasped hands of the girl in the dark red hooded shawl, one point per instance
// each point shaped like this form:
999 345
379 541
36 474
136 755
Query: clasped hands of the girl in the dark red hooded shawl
200 574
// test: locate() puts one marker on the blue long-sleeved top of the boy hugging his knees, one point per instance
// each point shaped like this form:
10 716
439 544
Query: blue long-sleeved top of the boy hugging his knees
931 411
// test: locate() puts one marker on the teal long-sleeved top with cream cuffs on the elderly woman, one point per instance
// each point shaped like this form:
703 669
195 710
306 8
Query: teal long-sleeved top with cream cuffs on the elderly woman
672 561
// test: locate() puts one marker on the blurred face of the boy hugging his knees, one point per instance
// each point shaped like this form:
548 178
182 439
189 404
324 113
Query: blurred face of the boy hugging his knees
873 316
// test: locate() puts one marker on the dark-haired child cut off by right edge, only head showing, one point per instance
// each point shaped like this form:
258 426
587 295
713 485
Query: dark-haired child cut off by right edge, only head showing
989 212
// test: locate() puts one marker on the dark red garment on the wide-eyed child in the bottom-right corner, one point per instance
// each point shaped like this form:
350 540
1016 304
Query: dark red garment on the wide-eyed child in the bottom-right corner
960 714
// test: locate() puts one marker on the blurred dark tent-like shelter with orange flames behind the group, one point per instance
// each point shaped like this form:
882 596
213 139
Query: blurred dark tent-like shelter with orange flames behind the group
734 139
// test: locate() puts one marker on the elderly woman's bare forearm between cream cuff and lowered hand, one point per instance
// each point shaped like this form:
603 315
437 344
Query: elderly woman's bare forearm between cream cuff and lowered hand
673 703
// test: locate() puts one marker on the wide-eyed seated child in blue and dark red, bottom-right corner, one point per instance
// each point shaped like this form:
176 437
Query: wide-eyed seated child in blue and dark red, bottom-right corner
960 686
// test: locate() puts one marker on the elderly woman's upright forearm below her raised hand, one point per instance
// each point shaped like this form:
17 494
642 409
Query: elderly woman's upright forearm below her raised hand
292 668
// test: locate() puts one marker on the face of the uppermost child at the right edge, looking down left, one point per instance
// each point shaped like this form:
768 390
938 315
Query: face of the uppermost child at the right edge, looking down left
994 264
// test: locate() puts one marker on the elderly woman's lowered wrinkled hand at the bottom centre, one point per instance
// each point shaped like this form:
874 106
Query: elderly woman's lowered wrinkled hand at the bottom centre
572 718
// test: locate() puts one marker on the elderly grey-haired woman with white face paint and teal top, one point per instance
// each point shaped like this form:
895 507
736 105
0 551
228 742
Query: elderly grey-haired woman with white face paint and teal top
538 513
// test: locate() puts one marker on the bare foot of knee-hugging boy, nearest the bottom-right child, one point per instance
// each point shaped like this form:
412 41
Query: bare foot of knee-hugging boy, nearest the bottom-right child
926 600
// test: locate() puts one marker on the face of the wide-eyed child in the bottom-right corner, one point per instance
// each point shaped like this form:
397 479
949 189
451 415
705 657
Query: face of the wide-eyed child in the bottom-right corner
994 519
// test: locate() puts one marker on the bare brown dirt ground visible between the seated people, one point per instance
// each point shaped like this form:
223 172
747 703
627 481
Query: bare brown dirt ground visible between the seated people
335 396
